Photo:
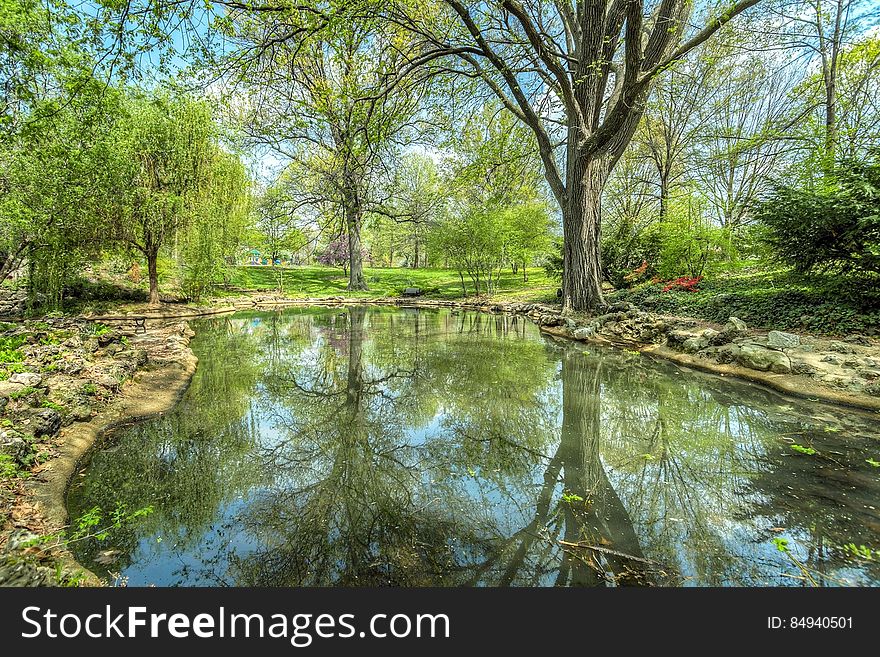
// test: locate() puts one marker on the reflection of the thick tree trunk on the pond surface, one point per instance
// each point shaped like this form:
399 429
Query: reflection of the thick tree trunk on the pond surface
600 520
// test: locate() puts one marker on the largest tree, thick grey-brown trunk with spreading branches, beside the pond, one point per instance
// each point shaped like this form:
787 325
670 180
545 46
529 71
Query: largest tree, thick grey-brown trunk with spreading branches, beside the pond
578 75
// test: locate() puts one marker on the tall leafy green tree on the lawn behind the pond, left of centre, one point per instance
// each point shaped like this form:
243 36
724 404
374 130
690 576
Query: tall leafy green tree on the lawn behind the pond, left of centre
315 97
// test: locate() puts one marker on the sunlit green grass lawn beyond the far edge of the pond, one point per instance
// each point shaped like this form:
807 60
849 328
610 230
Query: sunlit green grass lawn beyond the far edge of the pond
319 282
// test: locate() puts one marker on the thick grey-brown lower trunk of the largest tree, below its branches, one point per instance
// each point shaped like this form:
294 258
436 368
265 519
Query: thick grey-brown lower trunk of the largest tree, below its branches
581 226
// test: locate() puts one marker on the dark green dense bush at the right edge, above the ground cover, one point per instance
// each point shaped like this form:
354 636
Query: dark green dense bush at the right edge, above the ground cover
835 226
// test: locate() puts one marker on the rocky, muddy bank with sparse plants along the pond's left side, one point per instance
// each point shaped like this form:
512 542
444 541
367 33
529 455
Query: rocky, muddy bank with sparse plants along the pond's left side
71 380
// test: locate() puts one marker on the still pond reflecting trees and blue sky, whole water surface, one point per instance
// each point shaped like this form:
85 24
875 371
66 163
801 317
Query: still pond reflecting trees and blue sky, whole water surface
410 447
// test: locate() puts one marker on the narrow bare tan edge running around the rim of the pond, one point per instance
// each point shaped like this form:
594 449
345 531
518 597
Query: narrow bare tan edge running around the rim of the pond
156 390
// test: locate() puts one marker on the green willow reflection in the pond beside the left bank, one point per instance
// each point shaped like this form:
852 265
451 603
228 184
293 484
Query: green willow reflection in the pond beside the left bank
185 464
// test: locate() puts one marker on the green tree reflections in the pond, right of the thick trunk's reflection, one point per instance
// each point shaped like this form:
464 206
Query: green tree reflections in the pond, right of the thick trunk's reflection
706 470
